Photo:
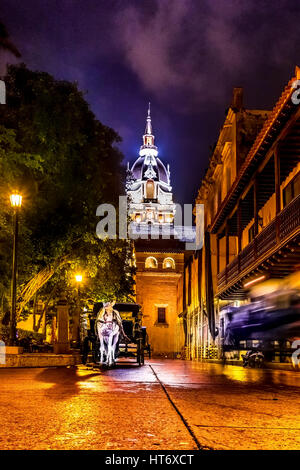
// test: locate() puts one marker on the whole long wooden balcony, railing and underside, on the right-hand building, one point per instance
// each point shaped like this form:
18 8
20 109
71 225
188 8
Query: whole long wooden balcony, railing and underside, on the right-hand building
274 251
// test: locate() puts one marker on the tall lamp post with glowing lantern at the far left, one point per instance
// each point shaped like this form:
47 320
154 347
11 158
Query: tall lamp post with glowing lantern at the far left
16 203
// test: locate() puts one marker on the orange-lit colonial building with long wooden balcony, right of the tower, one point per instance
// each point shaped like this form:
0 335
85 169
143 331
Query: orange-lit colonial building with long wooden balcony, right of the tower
252 217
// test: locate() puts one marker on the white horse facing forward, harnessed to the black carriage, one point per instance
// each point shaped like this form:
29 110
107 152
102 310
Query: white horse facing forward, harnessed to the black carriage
108 328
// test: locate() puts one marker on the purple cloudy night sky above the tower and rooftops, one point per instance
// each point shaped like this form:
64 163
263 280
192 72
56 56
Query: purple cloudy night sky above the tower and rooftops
184 56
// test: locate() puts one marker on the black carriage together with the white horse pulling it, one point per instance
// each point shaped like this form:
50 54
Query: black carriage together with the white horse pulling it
116 331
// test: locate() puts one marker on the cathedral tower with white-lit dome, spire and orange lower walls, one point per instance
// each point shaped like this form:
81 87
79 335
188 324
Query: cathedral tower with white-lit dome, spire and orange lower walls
159 256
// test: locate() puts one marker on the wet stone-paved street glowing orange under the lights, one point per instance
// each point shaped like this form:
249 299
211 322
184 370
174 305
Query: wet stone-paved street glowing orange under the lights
163 405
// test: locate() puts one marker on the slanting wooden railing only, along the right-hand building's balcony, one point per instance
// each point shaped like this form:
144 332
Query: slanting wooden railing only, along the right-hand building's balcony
286 222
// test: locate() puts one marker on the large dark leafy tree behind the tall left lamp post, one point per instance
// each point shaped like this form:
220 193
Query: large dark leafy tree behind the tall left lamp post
65 163
